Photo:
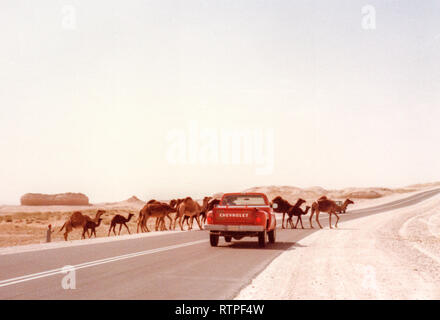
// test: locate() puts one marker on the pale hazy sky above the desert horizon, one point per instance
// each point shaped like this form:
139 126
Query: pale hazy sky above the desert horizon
93 92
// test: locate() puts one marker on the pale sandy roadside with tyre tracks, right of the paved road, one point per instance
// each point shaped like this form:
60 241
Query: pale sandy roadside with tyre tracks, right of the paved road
392 255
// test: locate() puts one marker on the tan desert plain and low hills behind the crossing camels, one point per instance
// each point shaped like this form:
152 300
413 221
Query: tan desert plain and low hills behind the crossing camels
27 224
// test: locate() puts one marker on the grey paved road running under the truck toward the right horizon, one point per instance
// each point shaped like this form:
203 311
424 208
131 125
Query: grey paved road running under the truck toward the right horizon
171 266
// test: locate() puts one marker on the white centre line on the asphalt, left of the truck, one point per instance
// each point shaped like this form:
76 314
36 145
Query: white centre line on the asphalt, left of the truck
8 282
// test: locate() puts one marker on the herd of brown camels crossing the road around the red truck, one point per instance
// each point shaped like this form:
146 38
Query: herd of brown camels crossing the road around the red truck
187 210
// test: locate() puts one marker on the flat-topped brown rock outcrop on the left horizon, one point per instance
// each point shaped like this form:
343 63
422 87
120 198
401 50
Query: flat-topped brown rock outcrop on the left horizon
63 199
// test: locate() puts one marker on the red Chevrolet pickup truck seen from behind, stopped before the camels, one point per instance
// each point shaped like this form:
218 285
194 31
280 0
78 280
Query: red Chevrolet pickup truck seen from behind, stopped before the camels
242 215
